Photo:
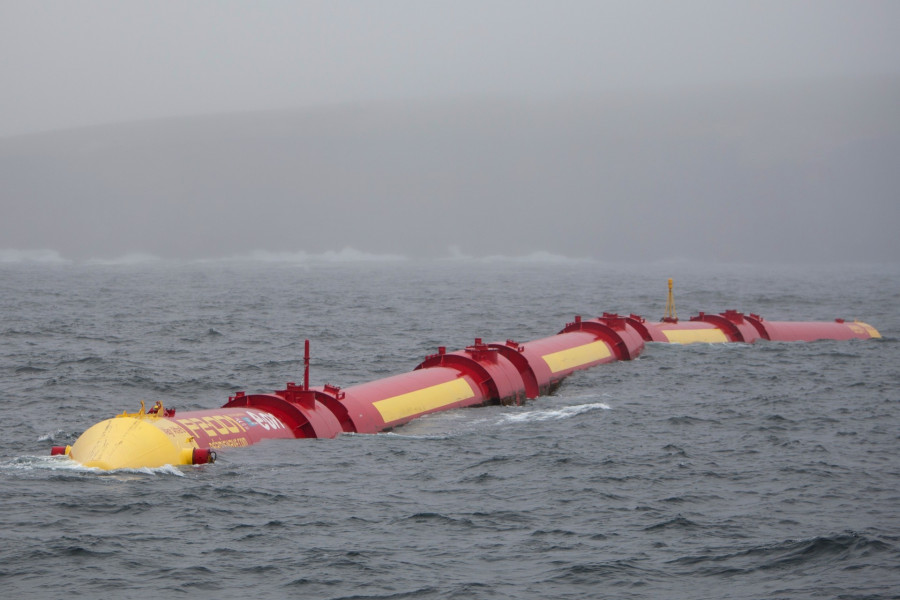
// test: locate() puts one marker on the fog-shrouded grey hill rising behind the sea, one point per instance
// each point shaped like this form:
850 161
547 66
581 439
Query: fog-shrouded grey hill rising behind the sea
793 172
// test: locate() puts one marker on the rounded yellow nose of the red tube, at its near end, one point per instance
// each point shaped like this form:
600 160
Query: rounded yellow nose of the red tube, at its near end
129 443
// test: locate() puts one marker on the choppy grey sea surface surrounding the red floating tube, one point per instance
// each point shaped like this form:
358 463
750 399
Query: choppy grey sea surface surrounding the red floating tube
708 471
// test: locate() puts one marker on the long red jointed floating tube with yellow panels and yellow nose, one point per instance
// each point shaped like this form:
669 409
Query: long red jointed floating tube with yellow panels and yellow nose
483 373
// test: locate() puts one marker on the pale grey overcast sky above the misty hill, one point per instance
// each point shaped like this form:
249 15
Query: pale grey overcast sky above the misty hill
68 63
